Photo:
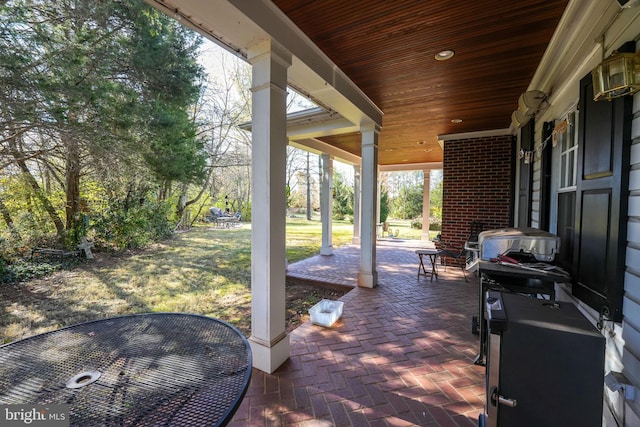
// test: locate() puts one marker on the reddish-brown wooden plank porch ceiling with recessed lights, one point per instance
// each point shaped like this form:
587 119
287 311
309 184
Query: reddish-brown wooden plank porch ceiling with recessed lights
388 49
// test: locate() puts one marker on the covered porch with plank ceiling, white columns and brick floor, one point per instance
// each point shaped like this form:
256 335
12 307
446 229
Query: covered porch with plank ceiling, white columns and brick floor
503 95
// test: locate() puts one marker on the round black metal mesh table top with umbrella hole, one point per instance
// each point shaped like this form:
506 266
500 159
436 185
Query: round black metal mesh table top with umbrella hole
148 369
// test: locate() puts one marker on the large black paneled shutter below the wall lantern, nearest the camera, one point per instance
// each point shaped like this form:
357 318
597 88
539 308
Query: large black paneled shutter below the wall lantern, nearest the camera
604 137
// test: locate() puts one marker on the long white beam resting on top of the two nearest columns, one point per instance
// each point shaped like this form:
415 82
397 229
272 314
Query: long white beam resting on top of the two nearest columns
237 25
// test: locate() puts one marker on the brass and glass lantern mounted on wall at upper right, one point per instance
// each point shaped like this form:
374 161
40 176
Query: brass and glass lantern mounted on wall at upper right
616 76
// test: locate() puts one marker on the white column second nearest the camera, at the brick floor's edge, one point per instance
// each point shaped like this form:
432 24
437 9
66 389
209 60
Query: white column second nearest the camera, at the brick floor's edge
368 276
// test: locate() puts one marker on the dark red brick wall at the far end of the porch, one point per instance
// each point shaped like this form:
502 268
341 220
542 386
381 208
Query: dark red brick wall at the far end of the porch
476 186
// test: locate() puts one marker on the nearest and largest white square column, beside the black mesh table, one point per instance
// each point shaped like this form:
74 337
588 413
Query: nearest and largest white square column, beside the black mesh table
269 340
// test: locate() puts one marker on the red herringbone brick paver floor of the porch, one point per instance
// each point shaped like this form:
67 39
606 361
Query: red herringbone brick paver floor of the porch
401 355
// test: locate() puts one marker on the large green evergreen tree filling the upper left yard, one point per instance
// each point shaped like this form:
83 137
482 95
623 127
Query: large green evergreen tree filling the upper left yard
100 89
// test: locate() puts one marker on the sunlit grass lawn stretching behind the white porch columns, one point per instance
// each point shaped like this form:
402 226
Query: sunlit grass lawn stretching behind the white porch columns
204 271
